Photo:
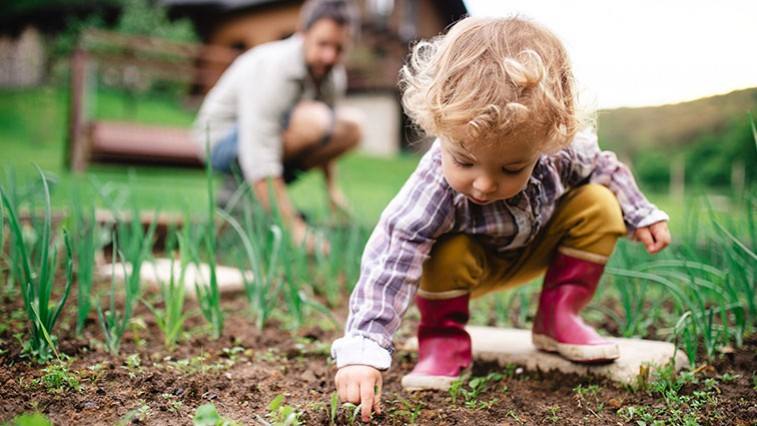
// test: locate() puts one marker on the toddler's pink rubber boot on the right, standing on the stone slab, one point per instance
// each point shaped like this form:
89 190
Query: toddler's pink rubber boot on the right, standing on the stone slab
569 285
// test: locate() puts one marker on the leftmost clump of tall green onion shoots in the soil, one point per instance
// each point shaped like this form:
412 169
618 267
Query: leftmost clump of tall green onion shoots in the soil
37 282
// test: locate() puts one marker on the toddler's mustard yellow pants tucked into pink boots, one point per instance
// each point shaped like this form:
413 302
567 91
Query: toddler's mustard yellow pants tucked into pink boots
586 224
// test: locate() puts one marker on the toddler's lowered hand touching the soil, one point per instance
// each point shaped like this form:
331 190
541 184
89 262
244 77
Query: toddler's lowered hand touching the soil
360 384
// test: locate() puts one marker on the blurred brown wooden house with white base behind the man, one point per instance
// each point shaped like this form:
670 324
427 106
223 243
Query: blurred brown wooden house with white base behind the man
388 27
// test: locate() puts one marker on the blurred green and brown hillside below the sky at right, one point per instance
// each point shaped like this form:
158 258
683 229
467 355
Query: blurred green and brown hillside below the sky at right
706 142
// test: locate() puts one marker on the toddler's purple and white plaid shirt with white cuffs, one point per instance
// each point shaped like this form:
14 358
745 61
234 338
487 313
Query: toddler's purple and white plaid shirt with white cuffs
427 207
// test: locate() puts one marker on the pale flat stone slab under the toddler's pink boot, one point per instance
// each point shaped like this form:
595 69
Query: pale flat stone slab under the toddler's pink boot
504 346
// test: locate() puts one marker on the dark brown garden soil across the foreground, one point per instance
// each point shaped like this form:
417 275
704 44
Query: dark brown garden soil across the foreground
244 370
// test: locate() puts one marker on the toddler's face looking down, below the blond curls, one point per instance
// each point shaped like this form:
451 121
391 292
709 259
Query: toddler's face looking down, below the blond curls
488 172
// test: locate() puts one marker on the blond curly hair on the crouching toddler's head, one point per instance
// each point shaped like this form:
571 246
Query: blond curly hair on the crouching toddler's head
491 77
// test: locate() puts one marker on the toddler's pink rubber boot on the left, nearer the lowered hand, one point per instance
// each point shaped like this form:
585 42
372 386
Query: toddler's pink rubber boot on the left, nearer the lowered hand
444 347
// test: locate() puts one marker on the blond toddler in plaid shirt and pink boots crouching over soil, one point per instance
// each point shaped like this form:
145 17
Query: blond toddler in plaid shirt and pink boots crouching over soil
514 186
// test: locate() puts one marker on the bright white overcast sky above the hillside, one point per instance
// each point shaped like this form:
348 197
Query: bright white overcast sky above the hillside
647 52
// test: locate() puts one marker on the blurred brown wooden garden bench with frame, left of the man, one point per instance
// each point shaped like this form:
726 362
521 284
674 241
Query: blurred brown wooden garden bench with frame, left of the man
137 61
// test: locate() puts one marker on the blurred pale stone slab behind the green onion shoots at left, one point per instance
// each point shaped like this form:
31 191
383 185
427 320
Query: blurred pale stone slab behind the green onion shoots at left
158 271
